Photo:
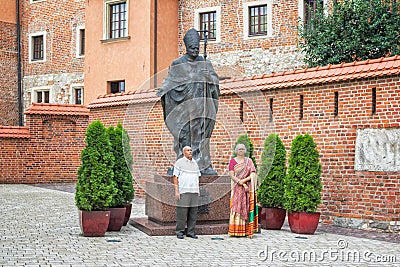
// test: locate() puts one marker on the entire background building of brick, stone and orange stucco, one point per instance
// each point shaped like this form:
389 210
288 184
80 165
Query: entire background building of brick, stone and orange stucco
123 45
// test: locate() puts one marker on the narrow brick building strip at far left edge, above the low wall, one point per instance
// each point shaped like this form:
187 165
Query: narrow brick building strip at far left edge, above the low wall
8 75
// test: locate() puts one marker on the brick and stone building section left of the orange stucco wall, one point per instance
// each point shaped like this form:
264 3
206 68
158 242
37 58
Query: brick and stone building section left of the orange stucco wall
52 41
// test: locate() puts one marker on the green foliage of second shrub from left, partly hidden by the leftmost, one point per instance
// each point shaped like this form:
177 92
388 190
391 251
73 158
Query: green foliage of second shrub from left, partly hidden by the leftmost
119 139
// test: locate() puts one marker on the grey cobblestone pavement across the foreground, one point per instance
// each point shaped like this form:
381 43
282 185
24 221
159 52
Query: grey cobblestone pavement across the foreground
39 227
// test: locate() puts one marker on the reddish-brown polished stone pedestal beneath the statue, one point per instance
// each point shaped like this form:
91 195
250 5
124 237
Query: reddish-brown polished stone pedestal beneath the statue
160 206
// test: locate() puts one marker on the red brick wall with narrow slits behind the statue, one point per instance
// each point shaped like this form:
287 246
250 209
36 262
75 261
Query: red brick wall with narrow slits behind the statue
366 195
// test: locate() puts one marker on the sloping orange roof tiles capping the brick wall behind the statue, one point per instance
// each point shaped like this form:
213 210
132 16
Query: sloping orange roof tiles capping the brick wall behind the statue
320 74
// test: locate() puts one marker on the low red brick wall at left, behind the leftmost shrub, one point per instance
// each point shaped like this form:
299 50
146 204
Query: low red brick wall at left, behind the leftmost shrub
51 153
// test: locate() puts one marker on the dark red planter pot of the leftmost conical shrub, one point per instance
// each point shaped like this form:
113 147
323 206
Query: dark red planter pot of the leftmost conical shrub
94 223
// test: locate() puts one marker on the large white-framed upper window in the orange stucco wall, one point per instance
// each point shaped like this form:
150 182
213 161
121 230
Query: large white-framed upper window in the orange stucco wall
116 19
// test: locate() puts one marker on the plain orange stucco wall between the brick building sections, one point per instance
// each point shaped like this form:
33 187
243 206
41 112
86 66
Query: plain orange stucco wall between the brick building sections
128 59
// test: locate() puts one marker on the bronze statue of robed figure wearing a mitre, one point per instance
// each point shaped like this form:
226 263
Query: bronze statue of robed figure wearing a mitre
189 97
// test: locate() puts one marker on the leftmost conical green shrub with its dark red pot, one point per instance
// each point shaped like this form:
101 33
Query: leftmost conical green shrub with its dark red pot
95 189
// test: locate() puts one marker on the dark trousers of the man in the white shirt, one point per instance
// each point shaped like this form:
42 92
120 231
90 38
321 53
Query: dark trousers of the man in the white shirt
186 210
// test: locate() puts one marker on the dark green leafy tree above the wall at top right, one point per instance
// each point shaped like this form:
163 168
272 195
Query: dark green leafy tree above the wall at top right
354 30
